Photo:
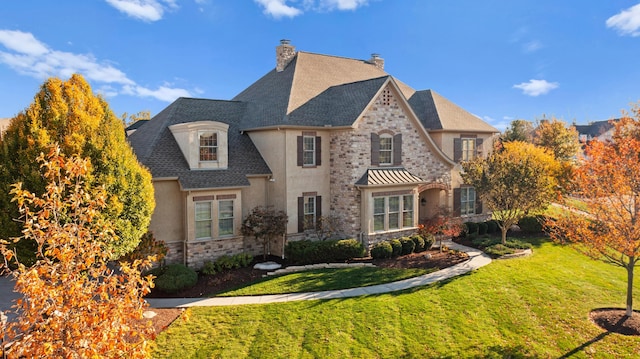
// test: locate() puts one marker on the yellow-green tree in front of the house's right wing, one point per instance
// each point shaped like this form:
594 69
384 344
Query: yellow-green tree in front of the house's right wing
513 182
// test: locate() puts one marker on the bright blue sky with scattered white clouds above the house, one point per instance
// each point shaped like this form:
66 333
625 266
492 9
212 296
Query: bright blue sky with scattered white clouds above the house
499 59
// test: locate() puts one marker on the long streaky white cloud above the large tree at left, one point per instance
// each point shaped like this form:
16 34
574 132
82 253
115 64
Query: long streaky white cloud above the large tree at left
35 59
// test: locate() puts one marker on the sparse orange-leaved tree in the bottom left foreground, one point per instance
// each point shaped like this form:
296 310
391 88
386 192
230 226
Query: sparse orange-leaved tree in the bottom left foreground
73 304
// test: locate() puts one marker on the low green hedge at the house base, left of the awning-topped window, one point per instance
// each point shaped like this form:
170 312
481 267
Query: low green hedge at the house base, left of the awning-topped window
312 252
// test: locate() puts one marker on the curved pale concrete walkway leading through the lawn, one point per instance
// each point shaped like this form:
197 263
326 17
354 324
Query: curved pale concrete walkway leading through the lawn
476 260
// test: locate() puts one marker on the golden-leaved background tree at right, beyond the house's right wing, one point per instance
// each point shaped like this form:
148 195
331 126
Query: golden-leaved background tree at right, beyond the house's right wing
562 141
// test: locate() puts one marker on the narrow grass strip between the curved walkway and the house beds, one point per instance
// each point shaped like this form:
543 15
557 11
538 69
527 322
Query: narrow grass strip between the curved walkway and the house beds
325 279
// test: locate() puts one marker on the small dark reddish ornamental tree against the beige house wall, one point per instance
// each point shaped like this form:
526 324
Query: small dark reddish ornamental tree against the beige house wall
265 223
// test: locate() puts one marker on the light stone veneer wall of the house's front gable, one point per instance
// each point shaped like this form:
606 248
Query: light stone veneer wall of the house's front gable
351 156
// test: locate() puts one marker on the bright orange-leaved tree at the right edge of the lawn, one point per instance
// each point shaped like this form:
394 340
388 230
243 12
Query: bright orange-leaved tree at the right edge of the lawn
608 182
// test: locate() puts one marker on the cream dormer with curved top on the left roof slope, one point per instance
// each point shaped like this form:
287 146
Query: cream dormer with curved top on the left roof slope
203 144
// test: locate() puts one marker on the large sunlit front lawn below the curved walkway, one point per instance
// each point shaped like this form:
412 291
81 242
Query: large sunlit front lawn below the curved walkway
533 307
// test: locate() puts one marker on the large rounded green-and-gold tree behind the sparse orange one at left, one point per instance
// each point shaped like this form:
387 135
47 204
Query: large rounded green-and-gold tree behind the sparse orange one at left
68 113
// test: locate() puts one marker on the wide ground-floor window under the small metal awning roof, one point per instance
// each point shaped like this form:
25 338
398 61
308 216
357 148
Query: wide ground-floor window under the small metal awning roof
392 212
